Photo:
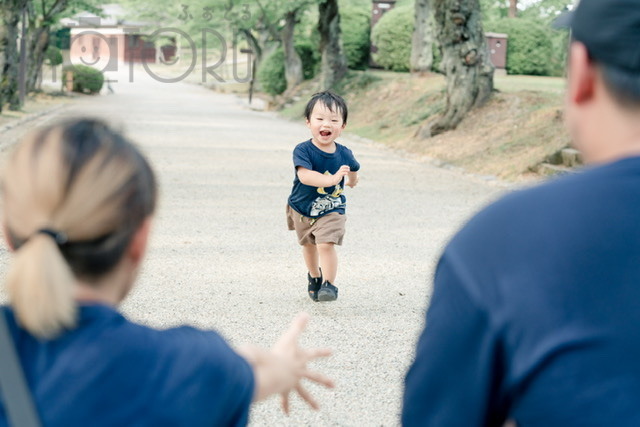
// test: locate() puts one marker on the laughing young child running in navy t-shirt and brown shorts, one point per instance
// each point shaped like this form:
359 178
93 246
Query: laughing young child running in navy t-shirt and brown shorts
316 208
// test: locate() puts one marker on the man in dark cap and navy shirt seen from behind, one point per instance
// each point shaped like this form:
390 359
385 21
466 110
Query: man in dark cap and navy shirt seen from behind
535 314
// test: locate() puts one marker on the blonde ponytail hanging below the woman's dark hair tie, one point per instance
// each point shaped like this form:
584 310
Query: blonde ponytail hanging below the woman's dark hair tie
40 288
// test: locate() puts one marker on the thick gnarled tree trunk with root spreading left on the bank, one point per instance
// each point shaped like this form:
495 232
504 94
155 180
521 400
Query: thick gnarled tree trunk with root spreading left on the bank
465 60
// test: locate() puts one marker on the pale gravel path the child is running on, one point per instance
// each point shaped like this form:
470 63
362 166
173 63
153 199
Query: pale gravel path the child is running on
221 256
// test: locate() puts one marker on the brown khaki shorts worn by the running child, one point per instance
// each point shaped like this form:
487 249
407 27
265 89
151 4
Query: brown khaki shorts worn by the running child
329 228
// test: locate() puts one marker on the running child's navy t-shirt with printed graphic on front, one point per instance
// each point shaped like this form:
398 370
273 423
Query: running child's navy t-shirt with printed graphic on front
315 202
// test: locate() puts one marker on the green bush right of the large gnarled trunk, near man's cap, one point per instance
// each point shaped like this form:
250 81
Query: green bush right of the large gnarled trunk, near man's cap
529 47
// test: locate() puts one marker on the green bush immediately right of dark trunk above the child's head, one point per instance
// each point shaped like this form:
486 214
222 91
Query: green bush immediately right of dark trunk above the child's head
355 26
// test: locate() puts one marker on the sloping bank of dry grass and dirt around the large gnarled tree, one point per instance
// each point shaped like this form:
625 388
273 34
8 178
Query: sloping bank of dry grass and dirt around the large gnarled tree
507 138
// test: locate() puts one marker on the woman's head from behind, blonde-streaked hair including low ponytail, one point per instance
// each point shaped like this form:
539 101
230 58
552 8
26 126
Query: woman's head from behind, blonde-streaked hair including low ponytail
87 183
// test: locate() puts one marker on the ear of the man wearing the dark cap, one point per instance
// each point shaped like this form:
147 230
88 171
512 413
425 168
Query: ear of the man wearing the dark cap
582 75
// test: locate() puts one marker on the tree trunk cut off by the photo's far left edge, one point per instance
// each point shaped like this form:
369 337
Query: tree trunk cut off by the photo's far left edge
9 84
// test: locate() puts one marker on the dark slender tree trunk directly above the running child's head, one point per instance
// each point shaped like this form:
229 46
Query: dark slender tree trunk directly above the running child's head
334 61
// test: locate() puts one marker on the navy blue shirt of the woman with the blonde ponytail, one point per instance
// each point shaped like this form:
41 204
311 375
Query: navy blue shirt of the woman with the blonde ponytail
112 372
